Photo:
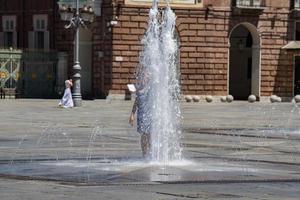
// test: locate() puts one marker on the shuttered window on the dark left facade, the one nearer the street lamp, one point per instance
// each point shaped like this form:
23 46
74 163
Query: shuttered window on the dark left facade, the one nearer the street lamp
39 37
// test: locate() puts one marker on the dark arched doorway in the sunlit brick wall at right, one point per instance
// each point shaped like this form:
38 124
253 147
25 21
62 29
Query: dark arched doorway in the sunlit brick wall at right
244 62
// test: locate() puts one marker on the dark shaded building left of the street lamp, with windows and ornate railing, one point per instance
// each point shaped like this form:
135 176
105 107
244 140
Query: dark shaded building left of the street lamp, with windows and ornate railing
27 57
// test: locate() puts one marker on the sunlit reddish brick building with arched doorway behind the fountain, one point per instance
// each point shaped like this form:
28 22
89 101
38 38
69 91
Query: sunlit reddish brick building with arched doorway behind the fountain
237 47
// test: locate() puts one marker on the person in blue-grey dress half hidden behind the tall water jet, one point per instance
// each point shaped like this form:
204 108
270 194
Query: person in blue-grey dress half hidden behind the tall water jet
143 116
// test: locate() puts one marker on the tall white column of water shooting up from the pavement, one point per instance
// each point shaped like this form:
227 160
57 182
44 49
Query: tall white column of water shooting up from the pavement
158 67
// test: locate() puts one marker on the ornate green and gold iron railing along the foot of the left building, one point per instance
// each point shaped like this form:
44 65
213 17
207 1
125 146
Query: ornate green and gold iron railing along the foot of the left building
25 73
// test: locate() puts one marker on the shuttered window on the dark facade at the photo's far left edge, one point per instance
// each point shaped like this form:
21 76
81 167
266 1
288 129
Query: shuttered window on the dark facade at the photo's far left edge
9 35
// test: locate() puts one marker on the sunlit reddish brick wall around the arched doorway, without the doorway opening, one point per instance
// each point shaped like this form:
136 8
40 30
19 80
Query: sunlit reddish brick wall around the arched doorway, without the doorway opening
204 46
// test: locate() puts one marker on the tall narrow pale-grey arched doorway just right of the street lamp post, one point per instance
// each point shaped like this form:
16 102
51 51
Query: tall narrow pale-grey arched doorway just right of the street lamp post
85 59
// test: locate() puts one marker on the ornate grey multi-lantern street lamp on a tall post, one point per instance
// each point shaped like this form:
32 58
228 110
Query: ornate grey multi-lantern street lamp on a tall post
77 17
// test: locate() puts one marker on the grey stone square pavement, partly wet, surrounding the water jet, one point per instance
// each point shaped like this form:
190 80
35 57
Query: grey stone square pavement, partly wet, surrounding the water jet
231 151
